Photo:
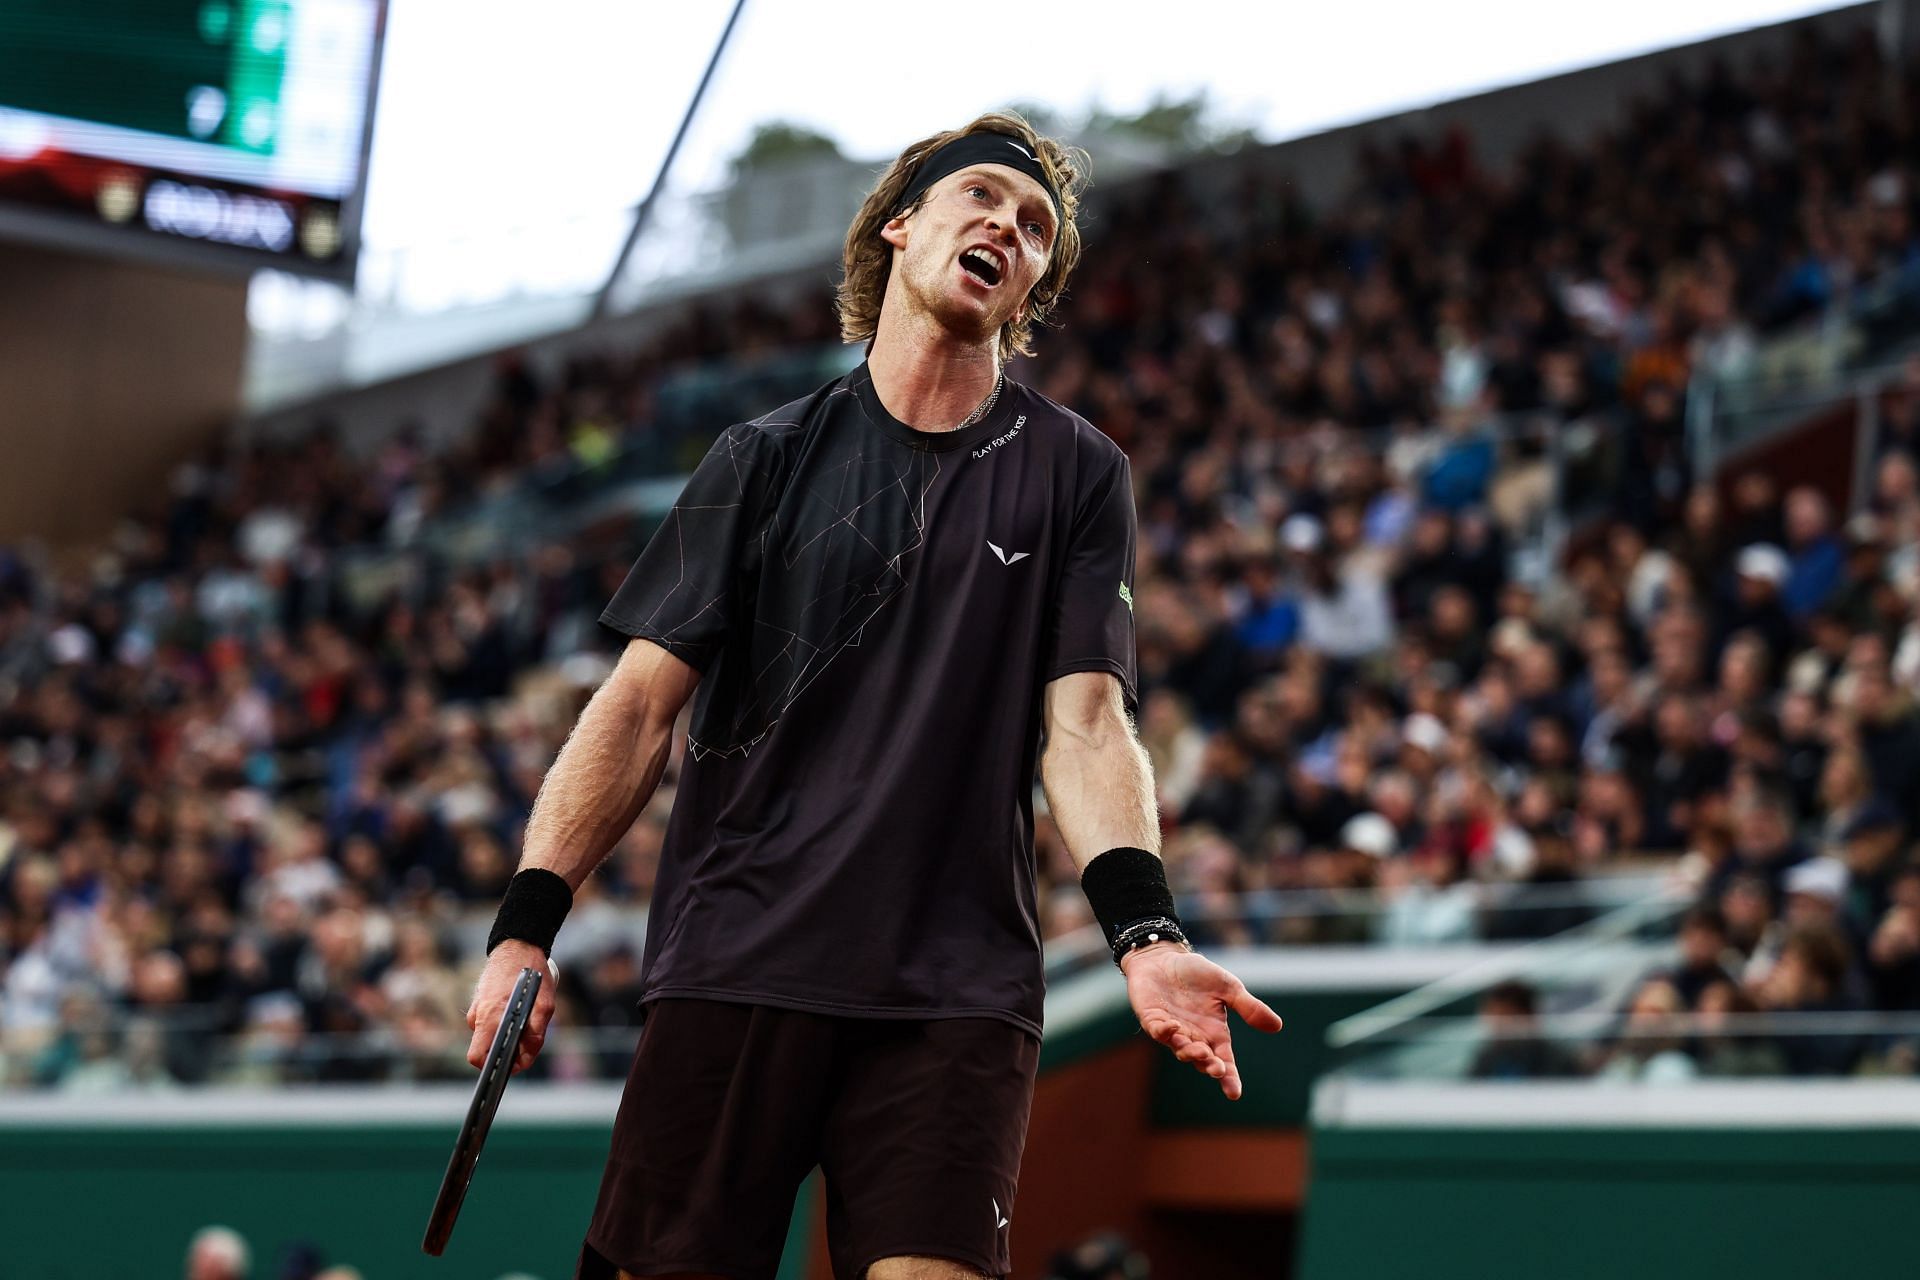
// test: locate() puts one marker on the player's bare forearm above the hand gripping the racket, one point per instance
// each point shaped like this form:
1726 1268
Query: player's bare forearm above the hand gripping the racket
598 784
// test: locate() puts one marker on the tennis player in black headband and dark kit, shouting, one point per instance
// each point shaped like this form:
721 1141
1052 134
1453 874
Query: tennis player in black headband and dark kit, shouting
892 604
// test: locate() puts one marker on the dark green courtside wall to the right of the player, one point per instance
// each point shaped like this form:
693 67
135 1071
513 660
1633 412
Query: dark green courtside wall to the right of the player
1683 1204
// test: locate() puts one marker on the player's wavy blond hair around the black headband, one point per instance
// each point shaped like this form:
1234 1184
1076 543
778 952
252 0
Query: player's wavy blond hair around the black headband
869 260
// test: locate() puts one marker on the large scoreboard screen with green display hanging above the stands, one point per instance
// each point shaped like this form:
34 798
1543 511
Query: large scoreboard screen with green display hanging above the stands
229 133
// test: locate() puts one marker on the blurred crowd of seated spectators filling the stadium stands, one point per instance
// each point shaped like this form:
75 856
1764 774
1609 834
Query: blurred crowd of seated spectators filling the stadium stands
243 795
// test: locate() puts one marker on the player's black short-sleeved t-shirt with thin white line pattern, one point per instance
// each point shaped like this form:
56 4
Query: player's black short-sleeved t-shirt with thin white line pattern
876 613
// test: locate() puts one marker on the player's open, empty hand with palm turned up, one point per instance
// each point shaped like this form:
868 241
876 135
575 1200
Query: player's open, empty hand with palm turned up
1182 1001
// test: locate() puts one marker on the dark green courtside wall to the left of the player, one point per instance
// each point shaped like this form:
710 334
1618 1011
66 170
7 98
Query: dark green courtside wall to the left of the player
89 1204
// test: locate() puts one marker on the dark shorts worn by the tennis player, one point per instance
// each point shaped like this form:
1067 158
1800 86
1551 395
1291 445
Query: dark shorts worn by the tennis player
919 1127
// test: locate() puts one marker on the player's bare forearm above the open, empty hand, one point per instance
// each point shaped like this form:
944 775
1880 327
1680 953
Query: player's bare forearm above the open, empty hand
1101 790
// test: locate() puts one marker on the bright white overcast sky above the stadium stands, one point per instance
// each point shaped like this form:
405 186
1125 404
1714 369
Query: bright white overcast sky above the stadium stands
496 112
